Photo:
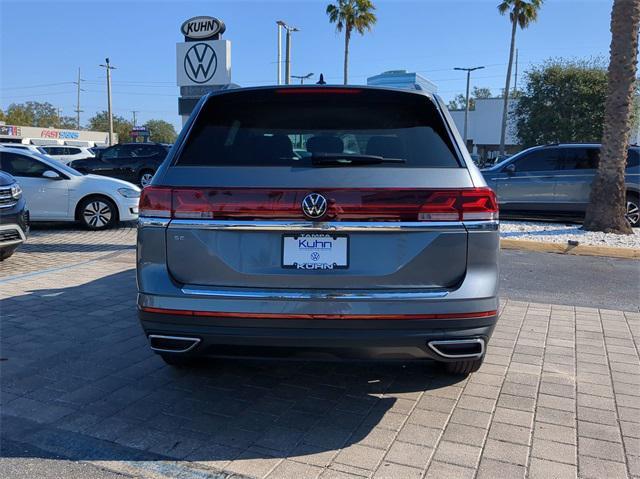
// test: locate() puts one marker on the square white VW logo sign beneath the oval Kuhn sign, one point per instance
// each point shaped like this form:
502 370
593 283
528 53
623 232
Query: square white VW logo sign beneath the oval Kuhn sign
203 63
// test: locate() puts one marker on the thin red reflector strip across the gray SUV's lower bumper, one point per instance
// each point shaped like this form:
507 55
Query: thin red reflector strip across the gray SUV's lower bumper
216 314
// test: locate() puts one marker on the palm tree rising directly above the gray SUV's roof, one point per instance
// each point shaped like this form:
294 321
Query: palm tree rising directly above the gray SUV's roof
351 15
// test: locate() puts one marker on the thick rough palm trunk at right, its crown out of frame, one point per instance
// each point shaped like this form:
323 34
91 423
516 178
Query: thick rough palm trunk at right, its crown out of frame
607 206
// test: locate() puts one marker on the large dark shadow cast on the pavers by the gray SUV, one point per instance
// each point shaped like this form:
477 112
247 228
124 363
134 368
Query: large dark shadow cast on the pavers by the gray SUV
79 381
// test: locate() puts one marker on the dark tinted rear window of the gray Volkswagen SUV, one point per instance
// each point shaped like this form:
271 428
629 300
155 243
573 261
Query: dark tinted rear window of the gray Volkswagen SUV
283 128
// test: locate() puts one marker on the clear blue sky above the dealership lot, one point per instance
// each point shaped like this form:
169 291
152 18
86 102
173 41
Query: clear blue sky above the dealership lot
42 44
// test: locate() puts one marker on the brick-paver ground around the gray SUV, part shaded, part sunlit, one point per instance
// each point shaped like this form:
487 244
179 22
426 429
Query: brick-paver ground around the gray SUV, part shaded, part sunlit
82 395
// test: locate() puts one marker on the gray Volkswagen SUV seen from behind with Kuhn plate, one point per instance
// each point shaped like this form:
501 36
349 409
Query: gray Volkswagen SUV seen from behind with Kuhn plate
319 222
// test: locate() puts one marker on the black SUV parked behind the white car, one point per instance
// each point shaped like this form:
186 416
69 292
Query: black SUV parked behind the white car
134 162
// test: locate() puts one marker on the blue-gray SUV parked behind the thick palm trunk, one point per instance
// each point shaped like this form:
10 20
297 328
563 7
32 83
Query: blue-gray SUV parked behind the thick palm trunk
555 181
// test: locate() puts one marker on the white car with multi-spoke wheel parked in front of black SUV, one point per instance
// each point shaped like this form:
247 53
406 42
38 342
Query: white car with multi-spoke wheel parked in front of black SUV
57 192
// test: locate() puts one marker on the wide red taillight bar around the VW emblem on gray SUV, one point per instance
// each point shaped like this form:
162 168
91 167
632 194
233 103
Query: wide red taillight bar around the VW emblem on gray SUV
372 204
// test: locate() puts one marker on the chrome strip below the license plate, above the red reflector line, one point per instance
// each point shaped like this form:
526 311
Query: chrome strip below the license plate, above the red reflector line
332 295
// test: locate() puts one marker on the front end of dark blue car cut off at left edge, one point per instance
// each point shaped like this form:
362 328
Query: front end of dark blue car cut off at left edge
14 216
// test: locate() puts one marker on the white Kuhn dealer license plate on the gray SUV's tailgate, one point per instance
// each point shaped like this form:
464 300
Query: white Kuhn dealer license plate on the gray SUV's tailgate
315 251
